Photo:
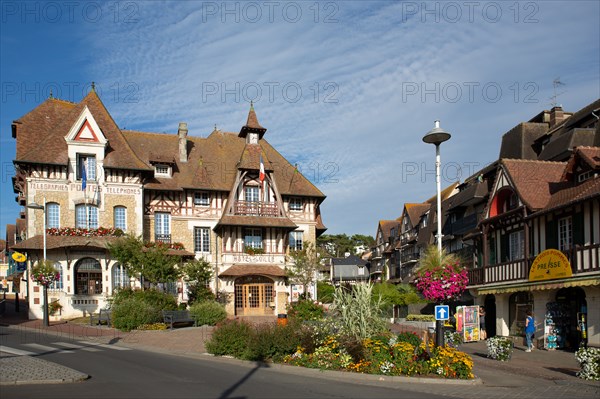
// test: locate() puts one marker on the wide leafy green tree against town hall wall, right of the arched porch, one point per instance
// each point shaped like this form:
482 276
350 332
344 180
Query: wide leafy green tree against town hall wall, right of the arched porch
150 260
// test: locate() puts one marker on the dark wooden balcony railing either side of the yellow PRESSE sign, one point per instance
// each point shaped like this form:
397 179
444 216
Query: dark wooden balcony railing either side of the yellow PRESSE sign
583 259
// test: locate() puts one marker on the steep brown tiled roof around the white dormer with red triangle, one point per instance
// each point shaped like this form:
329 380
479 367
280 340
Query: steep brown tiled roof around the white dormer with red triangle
41 134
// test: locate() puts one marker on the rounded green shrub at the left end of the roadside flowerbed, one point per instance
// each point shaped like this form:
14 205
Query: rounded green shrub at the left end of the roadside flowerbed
230 338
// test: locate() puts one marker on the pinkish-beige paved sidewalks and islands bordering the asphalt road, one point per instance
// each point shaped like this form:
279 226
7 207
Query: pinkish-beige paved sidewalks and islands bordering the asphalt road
539 374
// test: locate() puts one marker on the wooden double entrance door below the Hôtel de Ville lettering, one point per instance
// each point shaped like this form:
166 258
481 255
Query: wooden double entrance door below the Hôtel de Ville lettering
254 296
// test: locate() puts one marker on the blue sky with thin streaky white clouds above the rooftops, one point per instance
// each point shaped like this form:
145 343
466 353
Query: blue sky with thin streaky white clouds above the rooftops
346 89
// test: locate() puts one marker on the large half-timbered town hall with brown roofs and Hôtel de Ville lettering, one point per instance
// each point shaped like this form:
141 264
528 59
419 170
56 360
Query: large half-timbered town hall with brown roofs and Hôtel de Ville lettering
230 198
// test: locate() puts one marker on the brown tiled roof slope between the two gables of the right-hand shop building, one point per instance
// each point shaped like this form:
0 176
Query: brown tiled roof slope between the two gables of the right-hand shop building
532 179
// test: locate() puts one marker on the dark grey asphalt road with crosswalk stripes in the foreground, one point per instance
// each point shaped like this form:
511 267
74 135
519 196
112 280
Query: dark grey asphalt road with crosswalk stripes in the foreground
140 374
